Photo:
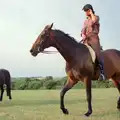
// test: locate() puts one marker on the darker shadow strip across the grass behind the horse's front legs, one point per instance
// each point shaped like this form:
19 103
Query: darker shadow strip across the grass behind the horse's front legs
37 102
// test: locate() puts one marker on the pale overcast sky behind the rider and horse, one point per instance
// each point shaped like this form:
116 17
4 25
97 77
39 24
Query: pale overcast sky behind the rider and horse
21 21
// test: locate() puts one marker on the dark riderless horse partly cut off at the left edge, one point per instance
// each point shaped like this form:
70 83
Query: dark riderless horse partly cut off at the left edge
5 79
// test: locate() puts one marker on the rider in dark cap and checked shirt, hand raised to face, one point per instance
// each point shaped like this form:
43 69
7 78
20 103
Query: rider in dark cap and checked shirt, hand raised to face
90 36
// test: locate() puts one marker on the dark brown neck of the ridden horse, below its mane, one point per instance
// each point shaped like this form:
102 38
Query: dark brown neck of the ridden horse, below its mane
66 49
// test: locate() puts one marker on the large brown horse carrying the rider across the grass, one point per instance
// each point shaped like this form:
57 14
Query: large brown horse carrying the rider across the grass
79 64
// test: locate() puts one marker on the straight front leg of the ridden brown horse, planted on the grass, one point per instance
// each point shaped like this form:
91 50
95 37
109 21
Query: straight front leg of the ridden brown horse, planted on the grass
89 96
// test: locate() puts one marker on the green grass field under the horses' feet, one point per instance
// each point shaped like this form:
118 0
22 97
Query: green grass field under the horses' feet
44 105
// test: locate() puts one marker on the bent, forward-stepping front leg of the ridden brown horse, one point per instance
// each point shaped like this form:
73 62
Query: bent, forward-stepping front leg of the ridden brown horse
70 83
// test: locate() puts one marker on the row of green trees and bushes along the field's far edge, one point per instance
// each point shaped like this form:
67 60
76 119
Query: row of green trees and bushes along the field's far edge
50 83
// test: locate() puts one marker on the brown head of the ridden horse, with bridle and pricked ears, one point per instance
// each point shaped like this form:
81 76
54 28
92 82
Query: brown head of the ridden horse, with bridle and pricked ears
43 41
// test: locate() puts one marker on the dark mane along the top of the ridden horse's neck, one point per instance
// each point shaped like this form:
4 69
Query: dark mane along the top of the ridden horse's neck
67 36
